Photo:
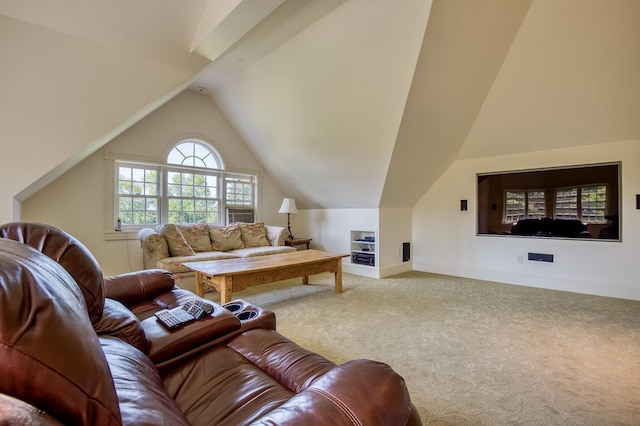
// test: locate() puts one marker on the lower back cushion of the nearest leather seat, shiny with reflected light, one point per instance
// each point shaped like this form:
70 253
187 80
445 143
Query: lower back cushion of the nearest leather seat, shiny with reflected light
142 397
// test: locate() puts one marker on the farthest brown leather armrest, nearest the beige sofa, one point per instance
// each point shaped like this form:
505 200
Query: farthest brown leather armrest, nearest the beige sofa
137 287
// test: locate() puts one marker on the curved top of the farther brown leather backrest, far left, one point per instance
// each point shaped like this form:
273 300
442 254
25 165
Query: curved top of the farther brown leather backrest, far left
68 252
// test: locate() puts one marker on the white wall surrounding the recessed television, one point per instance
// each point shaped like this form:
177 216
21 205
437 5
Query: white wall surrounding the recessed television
445 239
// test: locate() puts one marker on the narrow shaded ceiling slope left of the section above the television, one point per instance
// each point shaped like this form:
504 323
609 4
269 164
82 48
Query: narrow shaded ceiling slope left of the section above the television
463 49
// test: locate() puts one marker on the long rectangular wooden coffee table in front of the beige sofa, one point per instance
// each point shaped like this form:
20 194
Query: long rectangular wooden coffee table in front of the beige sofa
232 275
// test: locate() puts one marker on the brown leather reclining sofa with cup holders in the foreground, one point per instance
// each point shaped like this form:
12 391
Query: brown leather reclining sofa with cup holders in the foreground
77 349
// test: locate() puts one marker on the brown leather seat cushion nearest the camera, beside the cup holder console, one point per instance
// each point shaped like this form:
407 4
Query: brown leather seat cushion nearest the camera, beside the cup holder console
237 384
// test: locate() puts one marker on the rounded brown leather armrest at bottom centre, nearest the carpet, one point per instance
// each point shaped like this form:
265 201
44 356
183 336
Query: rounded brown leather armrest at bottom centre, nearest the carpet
361 392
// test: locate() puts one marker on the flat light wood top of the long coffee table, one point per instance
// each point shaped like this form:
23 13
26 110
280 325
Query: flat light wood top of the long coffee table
261 263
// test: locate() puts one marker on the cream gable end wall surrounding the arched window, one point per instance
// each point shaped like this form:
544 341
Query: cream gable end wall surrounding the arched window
77 201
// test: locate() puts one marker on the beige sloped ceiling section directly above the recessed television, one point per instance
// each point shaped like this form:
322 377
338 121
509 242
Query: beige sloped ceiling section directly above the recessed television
571 78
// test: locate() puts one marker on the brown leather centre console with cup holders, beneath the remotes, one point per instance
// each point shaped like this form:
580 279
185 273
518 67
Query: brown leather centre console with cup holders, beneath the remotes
164 345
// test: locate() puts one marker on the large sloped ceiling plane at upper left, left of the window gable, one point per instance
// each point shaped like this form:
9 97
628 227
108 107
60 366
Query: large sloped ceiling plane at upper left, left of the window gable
60 96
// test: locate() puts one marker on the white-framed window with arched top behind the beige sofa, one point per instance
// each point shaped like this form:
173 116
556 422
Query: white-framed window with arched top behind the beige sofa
190 187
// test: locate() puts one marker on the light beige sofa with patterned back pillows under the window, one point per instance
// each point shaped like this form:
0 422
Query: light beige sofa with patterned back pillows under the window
169 246
